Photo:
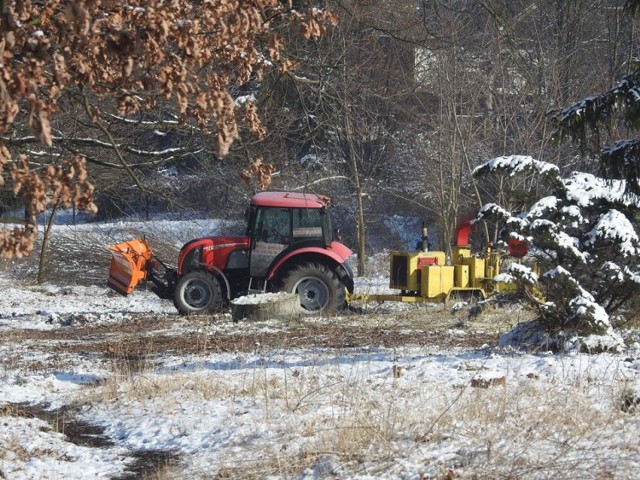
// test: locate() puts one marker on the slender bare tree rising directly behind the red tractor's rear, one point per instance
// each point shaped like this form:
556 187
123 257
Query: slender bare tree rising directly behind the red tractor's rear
344 104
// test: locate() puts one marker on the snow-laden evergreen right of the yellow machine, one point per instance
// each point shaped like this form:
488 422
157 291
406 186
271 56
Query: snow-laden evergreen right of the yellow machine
583 240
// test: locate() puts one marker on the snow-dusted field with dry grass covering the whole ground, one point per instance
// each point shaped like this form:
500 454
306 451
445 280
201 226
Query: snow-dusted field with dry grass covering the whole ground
95 385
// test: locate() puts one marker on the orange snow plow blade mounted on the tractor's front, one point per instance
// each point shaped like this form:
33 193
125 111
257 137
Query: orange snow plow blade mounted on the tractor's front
129 264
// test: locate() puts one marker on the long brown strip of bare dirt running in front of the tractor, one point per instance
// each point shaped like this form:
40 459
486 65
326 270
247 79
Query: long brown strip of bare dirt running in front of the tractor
146 335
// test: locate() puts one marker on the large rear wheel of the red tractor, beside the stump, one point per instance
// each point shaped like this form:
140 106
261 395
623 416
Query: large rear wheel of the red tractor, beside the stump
318 287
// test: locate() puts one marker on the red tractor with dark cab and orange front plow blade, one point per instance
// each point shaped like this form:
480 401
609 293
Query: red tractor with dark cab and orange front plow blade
288 246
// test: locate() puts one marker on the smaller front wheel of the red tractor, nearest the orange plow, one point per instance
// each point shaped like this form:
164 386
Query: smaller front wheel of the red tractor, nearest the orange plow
197 292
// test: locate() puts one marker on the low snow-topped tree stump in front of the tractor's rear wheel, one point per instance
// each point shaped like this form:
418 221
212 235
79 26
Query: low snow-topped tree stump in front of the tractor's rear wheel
265 306
